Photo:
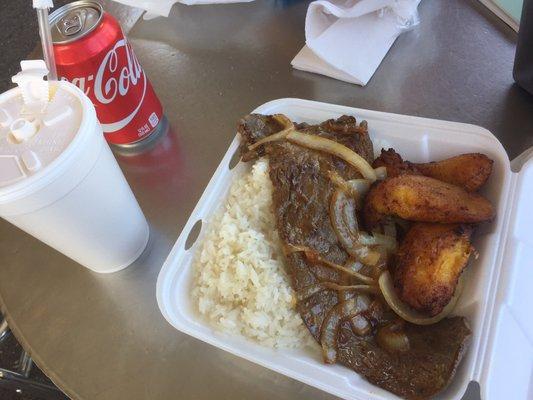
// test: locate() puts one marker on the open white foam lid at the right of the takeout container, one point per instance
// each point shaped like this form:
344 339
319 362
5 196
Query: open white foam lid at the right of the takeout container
507 367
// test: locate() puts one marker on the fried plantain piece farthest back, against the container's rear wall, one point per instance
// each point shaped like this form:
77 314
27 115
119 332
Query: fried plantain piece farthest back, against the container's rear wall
469 171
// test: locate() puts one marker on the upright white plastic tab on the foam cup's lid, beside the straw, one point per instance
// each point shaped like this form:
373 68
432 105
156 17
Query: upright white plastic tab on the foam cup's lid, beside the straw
35 90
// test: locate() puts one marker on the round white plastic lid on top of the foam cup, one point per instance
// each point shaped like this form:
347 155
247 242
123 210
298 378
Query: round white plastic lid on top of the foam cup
38 121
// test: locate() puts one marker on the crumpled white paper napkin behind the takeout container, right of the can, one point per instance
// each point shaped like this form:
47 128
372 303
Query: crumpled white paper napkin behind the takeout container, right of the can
348 39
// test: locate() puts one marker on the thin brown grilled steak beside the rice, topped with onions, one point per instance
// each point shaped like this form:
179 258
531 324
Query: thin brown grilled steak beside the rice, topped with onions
301 198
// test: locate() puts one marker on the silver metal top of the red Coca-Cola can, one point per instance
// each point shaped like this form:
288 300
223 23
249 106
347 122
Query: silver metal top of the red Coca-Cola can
74 20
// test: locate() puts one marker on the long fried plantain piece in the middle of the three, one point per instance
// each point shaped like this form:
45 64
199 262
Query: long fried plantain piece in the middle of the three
424 199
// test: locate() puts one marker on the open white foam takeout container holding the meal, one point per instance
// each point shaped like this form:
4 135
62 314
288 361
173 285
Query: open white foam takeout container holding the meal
497 296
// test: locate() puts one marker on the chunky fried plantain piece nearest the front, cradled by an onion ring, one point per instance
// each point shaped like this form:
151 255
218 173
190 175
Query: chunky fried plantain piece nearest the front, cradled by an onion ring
428 265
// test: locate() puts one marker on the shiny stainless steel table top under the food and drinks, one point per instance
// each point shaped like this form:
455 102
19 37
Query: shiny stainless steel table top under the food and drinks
102 337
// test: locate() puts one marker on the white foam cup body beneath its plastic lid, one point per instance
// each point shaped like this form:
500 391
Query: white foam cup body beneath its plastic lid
80 203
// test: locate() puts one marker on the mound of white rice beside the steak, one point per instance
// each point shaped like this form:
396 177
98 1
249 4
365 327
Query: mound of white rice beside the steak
240 285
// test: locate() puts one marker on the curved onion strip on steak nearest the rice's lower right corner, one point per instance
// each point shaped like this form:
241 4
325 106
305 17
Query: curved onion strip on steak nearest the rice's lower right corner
330 326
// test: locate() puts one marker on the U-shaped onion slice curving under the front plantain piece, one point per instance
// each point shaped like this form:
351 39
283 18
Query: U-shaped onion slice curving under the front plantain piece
407 313
